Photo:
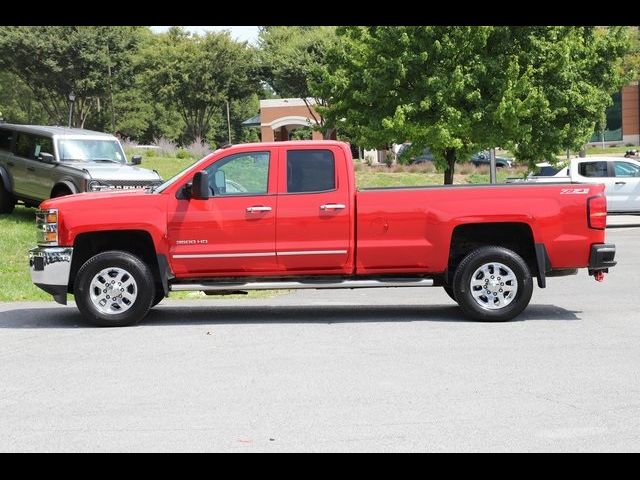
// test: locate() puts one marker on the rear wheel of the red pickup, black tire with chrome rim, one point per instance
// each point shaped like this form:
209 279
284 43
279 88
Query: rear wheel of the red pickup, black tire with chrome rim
486 308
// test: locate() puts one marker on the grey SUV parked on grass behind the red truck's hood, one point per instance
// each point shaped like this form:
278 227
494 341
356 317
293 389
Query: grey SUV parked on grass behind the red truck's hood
41 162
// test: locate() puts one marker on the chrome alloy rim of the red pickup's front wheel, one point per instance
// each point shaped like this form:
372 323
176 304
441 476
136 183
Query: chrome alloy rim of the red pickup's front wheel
113 291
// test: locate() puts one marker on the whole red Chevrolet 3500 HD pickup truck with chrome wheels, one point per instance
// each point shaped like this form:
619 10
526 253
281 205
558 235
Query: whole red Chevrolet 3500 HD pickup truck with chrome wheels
288 215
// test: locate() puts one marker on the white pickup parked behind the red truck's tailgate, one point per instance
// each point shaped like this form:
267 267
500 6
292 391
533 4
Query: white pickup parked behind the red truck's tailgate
620 175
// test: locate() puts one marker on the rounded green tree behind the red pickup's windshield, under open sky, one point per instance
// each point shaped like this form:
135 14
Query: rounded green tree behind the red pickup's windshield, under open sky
198 74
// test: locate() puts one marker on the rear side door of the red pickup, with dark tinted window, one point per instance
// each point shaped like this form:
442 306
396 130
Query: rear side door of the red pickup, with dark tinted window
314 230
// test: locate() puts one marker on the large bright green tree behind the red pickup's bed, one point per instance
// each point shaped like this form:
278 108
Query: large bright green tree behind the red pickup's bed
462 89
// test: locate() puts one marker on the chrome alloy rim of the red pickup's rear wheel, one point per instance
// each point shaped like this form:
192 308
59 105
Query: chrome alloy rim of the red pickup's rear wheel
493 286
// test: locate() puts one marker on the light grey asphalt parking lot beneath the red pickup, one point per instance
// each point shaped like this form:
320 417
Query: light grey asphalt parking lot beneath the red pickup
362 370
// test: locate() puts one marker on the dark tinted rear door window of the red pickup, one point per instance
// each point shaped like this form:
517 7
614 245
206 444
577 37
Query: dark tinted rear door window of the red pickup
310 171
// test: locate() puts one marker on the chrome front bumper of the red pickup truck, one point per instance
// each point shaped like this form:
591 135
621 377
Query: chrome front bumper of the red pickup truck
50 268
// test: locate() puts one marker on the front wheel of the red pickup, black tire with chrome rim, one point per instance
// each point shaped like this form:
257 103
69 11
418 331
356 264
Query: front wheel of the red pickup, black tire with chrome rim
142 287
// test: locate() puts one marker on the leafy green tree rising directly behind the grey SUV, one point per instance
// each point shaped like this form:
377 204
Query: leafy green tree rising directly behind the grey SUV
53 61
